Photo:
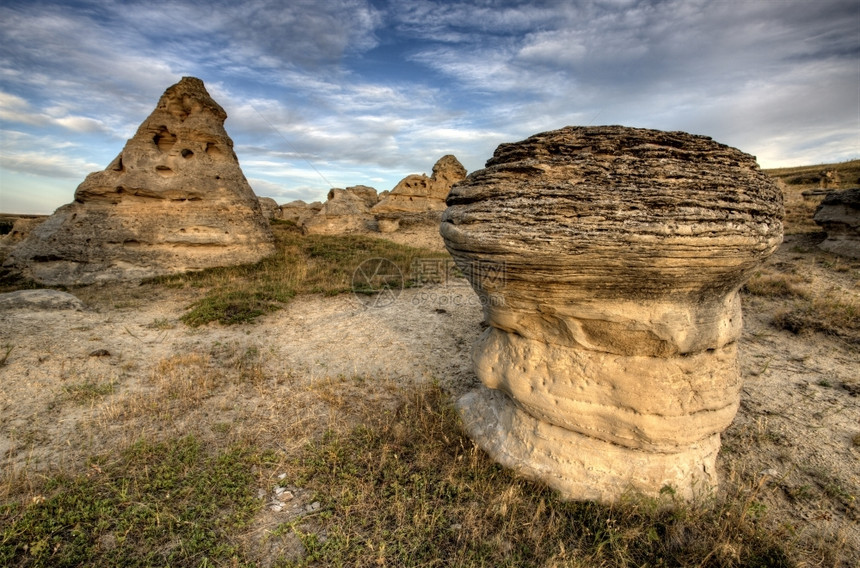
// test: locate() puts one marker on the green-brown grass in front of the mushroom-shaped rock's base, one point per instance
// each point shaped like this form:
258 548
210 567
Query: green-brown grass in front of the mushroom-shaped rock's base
410 489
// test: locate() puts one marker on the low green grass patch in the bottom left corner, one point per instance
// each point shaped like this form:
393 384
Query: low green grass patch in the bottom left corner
166 504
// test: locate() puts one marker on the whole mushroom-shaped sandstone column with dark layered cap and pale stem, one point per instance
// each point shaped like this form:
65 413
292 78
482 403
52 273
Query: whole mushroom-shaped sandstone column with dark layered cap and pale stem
608 261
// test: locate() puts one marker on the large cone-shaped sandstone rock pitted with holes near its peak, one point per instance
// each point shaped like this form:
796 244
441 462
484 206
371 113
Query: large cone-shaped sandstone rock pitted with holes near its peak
174 200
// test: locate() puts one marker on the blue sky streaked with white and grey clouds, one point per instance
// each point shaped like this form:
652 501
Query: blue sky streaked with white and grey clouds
325 93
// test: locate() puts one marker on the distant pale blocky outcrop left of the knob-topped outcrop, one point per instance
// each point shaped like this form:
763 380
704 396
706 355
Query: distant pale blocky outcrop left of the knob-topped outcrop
345 211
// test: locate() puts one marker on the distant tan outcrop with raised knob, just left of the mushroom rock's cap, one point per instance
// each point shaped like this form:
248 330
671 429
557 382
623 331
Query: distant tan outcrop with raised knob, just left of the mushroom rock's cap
418 193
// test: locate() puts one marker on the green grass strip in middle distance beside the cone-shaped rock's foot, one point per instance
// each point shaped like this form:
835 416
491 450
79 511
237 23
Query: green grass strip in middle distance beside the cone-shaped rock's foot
315 264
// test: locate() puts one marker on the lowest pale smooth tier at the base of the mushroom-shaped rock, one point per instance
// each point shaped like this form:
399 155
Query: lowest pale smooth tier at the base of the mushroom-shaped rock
578 466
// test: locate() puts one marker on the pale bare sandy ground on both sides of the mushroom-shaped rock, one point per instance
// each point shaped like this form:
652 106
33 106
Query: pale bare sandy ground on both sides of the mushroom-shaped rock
795 436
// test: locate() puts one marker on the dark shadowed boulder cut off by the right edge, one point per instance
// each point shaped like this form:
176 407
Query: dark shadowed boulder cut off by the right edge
839 215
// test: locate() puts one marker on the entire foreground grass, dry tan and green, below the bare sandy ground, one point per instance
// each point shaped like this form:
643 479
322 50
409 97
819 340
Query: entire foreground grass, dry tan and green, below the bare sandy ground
399 482
